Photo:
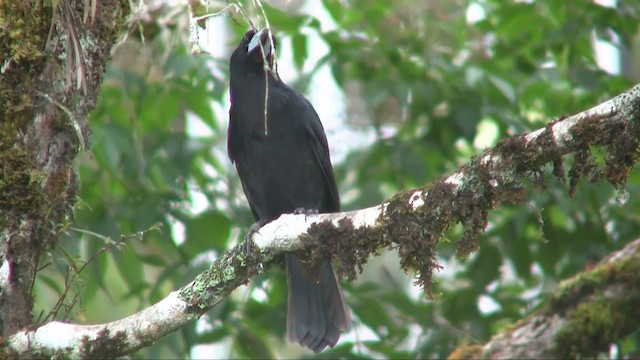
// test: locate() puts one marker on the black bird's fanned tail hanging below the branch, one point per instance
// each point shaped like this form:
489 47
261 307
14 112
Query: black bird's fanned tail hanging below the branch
317 312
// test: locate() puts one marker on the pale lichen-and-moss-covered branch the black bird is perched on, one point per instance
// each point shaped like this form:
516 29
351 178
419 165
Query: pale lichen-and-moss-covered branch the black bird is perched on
412 220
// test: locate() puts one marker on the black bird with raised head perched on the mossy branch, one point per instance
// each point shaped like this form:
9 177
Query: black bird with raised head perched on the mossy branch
284 168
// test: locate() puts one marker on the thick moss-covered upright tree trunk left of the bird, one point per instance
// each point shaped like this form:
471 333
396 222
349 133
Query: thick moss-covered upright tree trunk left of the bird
53 58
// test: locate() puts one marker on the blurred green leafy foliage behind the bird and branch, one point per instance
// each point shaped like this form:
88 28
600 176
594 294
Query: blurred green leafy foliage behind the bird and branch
433 88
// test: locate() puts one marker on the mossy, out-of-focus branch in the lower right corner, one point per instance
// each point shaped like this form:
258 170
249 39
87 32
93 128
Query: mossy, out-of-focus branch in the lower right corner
585 315
